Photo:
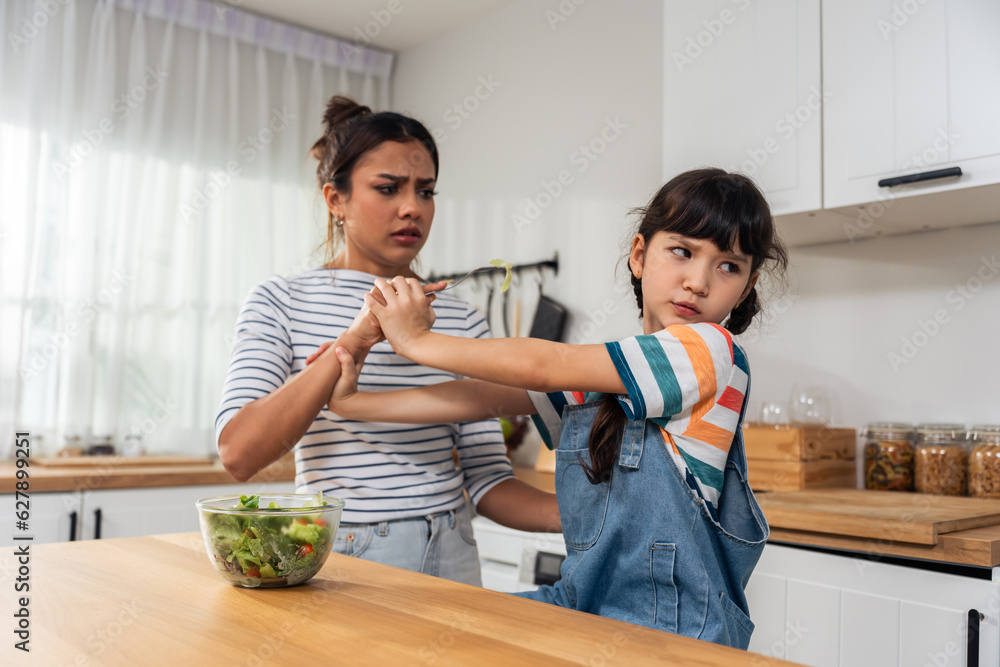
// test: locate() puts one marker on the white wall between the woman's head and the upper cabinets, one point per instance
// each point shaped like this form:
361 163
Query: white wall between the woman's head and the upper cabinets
558 88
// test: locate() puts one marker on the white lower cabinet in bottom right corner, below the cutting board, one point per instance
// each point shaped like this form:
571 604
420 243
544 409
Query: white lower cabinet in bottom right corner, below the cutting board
824 609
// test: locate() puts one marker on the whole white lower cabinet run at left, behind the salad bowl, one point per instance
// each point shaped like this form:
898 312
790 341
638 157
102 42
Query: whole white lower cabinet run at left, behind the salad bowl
85 515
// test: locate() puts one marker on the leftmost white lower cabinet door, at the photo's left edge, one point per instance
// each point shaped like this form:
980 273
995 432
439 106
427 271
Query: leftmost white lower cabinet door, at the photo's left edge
55 517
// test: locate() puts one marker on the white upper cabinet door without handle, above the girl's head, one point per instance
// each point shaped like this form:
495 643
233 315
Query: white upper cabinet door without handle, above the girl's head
742 92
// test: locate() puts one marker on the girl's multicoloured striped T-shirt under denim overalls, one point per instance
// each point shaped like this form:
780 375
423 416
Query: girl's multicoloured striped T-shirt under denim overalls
690 380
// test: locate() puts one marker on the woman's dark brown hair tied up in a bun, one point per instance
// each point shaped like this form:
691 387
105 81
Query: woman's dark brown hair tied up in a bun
350 130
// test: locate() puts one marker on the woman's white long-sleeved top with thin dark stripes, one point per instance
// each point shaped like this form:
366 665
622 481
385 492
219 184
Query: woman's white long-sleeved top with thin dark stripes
382 471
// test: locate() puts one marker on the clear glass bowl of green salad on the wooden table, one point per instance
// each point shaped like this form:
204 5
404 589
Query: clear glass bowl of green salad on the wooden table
271 540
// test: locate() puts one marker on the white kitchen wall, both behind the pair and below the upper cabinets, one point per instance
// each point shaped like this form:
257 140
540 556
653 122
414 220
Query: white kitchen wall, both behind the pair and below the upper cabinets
847 307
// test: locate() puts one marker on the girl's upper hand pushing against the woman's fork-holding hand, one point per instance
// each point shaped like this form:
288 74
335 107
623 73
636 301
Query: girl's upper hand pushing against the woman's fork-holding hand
403 311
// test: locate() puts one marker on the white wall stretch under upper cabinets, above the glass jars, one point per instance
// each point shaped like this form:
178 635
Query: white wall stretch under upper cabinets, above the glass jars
850 307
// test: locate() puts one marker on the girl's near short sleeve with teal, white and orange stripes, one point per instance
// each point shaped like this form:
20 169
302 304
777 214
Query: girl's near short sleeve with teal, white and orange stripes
675 376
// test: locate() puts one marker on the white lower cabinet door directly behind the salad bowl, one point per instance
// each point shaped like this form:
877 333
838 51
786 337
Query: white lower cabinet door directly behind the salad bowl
137 512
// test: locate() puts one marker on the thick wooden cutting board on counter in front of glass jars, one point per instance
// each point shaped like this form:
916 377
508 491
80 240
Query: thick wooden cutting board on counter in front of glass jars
882 515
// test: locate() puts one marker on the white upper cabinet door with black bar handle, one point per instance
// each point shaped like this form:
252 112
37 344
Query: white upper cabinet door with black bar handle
913 87
